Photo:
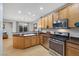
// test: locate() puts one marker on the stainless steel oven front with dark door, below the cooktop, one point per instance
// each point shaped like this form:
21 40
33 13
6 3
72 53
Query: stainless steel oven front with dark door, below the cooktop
57 46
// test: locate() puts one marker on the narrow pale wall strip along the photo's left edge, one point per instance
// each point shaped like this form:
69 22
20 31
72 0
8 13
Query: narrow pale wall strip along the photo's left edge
1 26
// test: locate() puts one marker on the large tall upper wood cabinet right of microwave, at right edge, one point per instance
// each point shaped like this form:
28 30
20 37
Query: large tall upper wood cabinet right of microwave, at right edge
73 14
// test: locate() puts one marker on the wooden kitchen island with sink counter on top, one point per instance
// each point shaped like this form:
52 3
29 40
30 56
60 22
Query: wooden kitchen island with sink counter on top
21 41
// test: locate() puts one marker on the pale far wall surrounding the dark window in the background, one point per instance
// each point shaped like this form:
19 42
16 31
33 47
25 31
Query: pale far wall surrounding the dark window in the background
13 26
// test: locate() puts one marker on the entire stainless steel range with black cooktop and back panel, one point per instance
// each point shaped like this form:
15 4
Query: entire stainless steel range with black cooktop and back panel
57 43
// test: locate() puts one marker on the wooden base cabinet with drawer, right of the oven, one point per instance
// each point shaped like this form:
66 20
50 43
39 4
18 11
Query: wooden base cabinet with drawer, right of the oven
72 49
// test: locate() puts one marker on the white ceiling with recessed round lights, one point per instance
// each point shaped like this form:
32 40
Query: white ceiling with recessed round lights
28 12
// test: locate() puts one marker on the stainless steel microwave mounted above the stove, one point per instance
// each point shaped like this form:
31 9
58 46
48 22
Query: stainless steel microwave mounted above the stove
62 23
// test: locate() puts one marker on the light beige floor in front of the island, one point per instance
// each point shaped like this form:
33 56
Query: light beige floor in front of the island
33 51
